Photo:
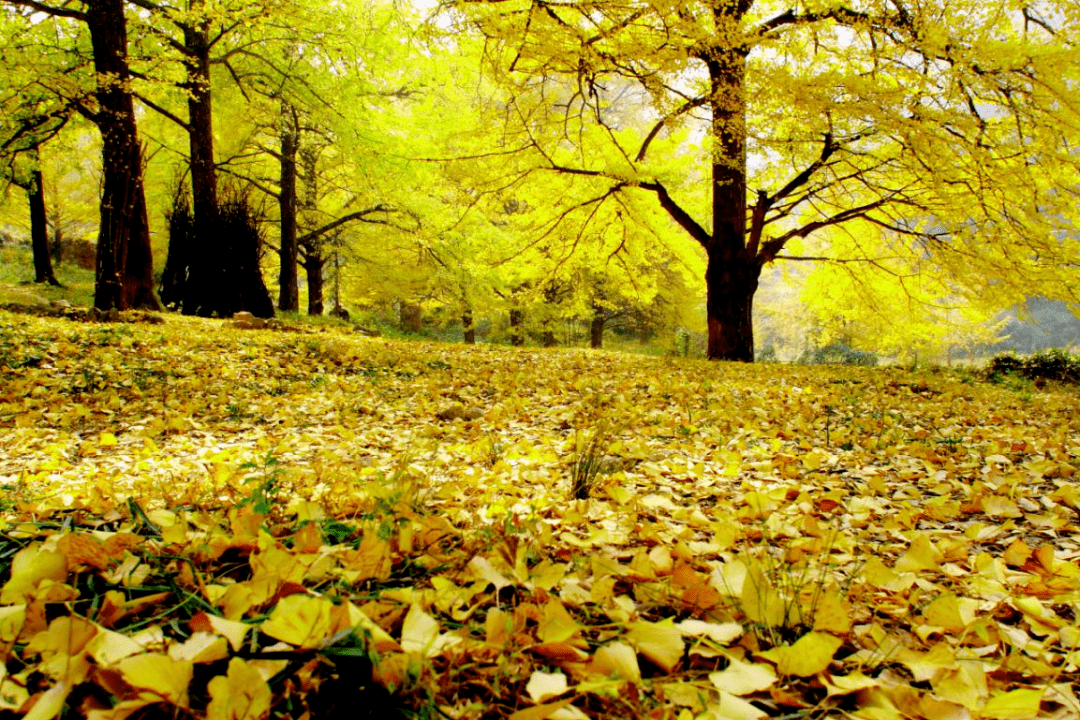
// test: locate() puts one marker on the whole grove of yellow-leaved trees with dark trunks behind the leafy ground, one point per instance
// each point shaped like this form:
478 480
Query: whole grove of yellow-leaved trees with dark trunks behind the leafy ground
518 165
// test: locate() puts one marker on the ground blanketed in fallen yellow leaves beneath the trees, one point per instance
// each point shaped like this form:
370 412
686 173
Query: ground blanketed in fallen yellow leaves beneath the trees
208 522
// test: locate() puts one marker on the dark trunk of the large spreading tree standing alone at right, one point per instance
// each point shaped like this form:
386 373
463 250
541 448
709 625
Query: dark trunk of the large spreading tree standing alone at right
734 269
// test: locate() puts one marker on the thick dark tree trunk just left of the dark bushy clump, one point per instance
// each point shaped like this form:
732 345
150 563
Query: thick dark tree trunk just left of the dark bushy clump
125 277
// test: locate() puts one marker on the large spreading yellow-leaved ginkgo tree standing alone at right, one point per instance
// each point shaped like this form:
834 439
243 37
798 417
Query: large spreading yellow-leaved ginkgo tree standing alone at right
755 125
